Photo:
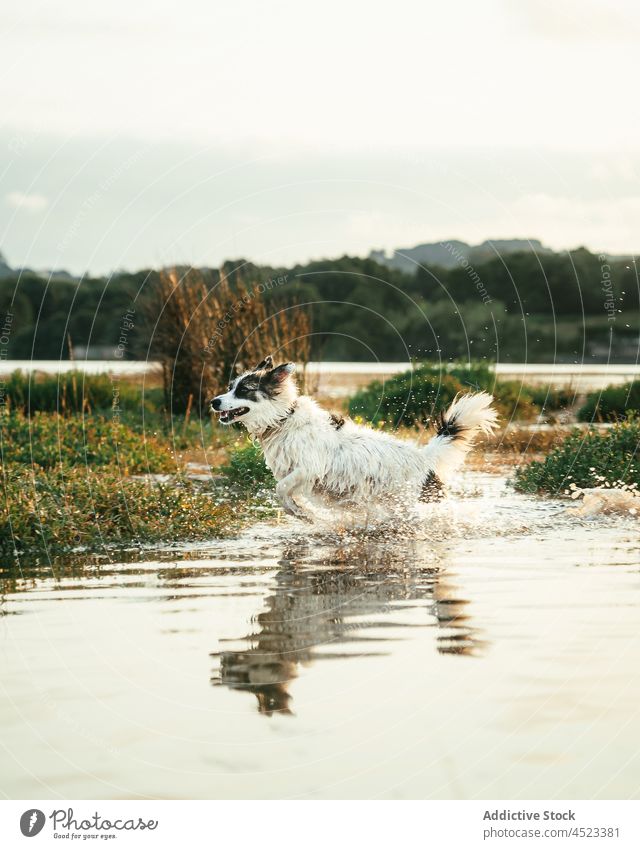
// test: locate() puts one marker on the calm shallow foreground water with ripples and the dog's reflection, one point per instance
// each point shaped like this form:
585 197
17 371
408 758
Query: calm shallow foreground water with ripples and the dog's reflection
490 649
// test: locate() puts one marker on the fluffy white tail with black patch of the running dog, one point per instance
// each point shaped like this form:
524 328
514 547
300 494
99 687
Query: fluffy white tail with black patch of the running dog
456 429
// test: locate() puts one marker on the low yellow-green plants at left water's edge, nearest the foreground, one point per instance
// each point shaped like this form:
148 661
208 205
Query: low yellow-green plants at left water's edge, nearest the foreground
53 511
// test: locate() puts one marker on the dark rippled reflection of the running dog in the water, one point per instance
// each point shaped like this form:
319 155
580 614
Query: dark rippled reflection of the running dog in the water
326 599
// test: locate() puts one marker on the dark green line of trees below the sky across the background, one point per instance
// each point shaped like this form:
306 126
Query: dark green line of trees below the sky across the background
566 306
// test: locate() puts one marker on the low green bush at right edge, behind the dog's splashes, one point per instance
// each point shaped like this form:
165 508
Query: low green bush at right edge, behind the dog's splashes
586 459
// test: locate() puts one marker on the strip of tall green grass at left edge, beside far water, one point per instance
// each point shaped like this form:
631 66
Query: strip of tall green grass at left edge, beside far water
76 392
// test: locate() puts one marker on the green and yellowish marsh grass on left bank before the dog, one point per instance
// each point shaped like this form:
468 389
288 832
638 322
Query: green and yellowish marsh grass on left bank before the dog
69 481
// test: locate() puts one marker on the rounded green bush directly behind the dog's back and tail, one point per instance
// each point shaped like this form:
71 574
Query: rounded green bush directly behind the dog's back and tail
412 398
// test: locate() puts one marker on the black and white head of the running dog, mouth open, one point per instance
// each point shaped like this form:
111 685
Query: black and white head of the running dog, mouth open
258 397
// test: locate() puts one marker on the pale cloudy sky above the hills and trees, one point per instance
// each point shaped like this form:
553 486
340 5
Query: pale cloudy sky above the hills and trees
148 133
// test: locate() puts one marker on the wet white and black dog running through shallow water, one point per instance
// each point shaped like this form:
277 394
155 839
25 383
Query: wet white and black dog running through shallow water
315 453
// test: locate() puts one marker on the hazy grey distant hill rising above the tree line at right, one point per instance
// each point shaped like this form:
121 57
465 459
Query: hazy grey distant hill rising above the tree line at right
450 253
